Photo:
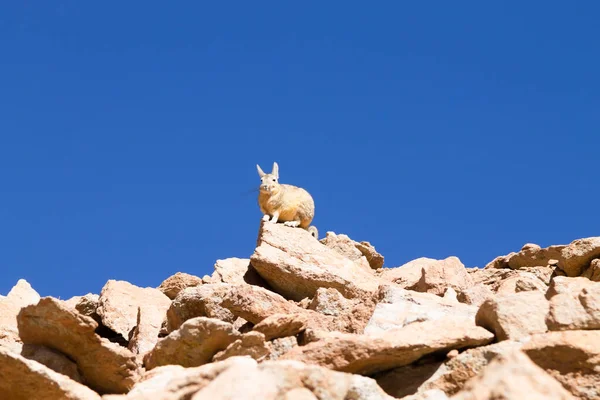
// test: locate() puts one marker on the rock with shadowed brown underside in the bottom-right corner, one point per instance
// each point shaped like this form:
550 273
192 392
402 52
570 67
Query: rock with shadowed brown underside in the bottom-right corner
571 357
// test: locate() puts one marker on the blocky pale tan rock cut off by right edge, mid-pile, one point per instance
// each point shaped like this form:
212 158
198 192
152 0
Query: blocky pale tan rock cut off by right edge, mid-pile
574 304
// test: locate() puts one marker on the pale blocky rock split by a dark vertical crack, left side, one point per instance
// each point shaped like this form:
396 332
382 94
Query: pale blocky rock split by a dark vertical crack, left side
118 307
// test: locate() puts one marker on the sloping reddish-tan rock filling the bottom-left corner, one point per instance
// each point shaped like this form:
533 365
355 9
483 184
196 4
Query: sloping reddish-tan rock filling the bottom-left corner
23 379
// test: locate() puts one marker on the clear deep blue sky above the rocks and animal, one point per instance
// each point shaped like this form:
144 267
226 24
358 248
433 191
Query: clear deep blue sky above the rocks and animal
129 131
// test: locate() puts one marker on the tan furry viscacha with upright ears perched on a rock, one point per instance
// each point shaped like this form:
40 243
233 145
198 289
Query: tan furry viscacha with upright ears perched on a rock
285 203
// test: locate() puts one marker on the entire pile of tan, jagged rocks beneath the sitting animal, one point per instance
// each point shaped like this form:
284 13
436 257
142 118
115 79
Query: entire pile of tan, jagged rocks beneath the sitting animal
303 319
